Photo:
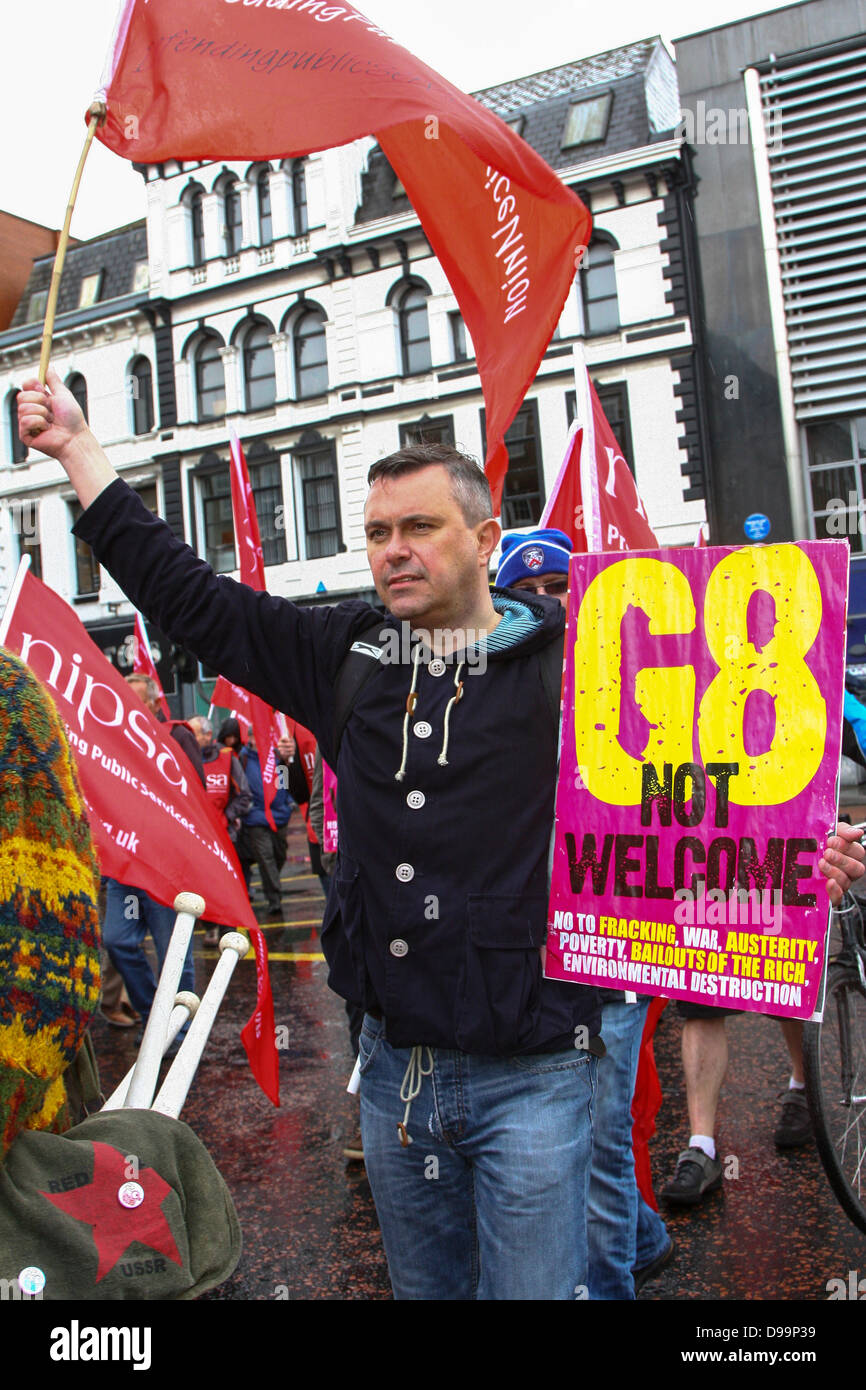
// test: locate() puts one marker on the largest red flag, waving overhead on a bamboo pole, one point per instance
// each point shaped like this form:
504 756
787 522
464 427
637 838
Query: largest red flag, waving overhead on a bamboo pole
229 80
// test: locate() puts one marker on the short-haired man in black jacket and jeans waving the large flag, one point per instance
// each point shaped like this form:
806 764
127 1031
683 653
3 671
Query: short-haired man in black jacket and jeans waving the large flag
447 771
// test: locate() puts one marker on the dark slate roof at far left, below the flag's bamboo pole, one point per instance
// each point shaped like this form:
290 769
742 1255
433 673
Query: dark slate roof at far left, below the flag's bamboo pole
113 254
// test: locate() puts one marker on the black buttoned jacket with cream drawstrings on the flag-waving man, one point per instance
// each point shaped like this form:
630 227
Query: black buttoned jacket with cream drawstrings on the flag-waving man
440 897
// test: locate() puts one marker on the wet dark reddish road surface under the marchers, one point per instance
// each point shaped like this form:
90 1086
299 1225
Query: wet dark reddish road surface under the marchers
774 1232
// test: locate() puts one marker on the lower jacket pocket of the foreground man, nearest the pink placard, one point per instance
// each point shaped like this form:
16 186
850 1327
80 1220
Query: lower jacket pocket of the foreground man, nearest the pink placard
500 992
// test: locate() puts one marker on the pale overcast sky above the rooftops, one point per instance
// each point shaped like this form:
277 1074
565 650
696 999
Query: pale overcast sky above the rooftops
54 54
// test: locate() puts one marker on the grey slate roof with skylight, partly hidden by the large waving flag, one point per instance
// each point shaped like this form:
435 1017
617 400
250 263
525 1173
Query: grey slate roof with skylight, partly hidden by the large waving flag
543 99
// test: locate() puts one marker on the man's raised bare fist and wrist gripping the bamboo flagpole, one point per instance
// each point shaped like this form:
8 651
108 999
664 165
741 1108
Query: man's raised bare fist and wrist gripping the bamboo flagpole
51 419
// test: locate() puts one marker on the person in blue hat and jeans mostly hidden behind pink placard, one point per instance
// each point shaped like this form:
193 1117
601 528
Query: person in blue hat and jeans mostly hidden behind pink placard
629 1243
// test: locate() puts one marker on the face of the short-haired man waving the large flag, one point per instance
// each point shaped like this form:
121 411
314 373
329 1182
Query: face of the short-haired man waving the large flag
429 566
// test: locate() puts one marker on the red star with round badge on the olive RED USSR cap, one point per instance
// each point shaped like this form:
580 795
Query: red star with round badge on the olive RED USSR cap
116 1227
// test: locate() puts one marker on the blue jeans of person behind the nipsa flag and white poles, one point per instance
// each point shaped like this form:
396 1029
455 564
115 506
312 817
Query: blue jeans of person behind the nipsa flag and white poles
130 915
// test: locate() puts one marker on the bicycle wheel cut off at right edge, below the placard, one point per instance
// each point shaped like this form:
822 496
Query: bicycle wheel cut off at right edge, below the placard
835 1056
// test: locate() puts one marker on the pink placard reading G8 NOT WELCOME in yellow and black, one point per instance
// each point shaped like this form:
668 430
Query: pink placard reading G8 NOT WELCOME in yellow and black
700 754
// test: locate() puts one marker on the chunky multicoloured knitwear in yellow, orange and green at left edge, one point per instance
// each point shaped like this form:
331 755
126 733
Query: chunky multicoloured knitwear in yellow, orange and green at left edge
49 915
